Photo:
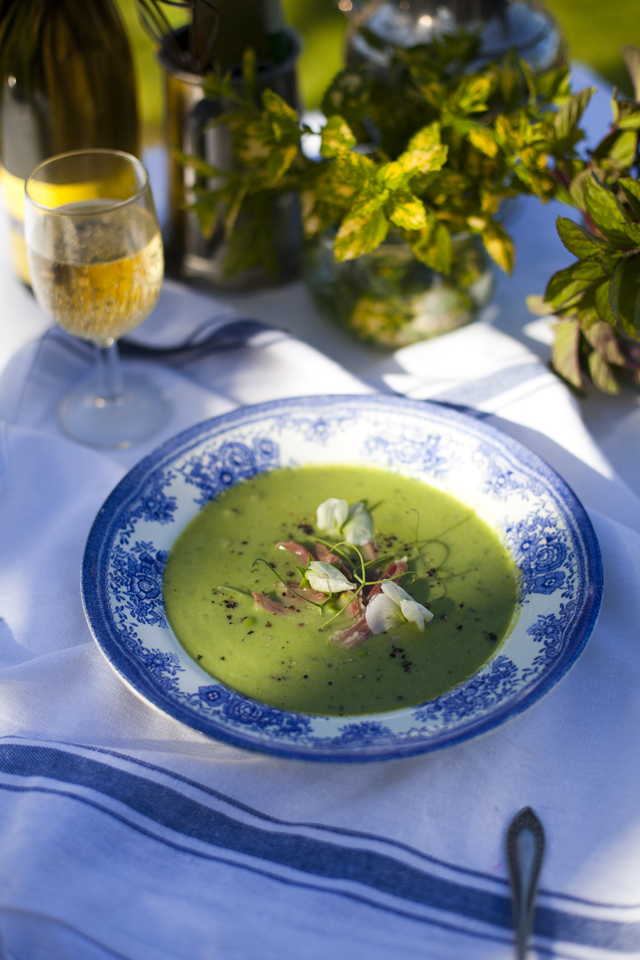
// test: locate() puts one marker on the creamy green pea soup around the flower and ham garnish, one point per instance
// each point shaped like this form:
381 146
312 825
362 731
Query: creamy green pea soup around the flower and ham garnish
457 567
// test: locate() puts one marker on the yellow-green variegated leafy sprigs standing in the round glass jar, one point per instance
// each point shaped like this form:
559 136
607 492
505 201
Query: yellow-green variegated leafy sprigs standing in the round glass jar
430 153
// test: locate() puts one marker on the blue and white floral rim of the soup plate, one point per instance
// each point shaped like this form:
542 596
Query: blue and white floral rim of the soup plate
538 517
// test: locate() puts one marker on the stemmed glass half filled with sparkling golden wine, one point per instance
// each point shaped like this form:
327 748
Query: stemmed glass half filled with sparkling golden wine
96 262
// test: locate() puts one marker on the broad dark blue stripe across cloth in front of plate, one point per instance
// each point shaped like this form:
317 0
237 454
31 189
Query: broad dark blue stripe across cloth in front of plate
325 859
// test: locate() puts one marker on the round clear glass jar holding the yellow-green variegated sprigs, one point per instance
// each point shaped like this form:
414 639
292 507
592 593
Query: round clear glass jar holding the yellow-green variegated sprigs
389 298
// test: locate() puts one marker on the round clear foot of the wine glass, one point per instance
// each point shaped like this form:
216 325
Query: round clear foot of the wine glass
139 412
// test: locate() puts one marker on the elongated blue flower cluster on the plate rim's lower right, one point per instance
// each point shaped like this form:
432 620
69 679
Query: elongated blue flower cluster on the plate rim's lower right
478 694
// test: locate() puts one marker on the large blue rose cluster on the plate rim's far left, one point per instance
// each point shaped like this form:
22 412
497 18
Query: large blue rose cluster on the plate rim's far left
135 581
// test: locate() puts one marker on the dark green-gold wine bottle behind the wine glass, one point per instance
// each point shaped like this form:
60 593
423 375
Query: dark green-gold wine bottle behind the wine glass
67 84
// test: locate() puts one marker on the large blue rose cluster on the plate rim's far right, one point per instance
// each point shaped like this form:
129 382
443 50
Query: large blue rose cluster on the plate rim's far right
539 547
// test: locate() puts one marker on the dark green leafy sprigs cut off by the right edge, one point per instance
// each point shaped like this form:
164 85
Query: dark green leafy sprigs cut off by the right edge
597 298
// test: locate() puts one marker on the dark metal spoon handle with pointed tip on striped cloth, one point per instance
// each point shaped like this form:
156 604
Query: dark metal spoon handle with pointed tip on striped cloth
525 850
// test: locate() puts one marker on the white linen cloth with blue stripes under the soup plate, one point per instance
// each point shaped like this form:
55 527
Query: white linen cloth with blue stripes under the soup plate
124 834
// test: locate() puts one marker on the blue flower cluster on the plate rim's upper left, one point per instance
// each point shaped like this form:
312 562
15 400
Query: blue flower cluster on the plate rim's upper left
212 471
